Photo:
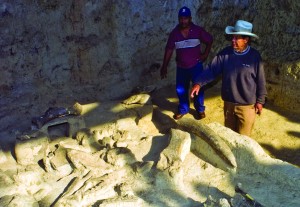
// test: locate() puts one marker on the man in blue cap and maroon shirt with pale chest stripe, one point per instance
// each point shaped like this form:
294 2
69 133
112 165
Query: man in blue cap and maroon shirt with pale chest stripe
186 38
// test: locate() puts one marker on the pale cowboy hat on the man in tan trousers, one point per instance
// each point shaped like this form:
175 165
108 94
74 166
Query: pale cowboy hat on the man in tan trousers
241 27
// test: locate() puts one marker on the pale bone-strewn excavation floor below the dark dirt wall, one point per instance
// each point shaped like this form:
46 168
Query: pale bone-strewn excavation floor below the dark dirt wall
131 153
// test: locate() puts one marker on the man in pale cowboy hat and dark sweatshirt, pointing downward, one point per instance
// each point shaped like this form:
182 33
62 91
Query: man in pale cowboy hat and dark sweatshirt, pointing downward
243 79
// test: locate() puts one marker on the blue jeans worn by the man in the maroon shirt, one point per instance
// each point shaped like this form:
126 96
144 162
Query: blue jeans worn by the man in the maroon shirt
184 76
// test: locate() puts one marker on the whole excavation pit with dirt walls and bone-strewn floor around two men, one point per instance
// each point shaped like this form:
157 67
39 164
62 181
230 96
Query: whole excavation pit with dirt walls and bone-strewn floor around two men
126 152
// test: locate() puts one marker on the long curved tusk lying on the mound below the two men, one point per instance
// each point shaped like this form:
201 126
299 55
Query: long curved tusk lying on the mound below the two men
209 136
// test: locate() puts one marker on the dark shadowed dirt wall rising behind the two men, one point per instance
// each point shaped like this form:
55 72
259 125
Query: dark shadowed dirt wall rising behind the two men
53 53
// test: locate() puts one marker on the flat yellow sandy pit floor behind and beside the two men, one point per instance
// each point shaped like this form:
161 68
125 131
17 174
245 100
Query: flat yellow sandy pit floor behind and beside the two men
276 130
